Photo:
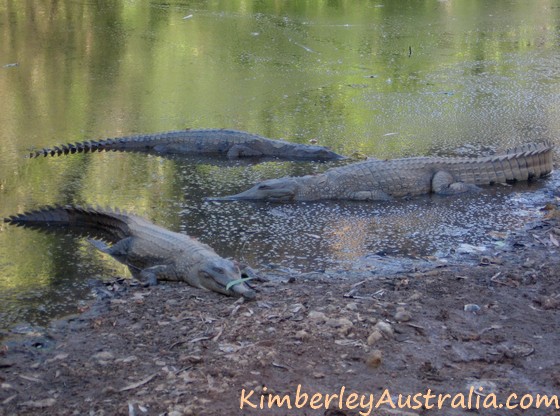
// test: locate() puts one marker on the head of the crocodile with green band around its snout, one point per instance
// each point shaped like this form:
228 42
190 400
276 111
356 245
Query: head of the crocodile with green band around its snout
215 275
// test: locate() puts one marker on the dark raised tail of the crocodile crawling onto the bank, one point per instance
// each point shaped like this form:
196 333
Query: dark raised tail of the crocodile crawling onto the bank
107 224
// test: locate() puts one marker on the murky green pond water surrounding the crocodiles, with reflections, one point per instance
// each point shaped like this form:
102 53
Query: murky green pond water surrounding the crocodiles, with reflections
387 79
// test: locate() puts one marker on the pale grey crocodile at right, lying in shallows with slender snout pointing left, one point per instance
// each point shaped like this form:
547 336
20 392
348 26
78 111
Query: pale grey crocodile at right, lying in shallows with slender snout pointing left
375 180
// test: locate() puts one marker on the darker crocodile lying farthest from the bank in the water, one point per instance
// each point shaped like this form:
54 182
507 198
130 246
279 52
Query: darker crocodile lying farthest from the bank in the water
233 144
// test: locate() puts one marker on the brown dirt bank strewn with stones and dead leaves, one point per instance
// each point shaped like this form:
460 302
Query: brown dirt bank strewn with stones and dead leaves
476 331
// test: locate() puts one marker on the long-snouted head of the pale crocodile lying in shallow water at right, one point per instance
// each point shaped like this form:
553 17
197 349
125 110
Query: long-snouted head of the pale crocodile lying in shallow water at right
275 190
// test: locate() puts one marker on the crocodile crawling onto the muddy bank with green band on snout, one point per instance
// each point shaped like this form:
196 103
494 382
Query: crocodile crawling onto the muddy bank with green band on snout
151 252
